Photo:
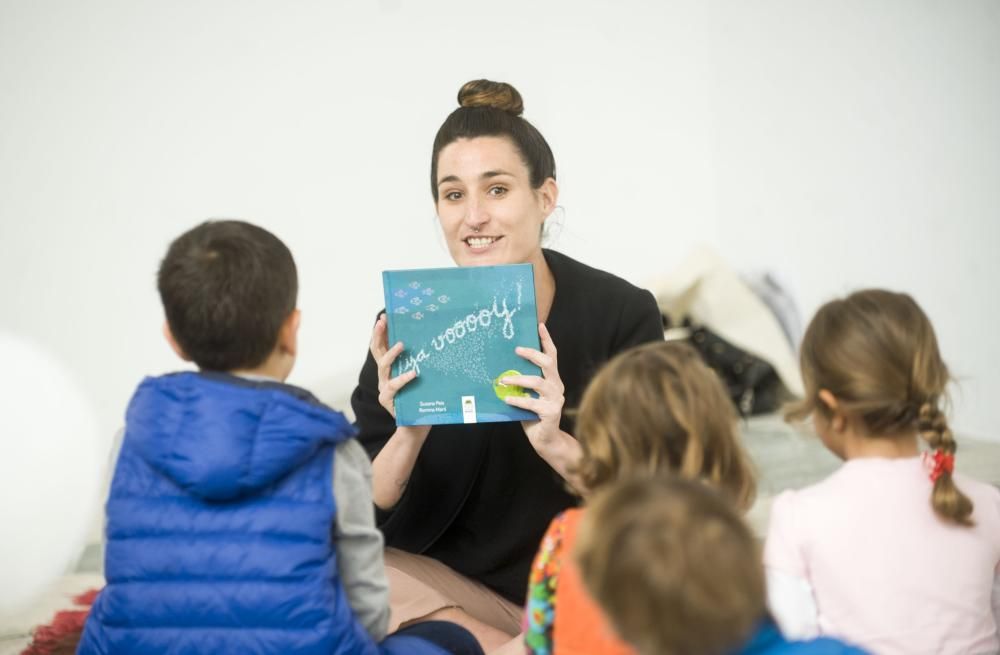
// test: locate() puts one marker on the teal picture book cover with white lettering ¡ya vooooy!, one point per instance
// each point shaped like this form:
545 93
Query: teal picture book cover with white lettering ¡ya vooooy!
459 327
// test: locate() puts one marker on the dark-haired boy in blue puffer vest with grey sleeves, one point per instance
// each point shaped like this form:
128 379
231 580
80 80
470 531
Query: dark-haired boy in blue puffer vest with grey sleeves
240 515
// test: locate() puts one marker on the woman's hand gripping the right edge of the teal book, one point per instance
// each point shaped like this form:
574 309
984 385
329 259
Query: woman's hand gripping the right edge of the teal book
542 433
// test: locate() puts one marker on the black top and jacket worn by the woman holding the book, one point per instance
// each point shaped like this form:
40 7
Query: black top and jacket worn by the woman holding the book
480 497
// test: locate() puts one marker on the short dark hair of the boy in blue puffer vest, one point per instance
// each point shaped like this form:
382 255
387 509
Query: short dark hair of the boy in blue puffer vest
226 288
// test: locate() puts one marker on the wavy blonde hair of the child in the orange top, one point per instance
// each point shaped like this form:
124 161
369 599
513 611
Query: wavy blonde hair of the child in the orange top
657 407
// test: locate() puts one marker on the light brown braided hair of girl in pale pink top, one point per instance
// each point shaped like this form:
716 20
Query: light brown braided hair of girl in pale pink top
876 352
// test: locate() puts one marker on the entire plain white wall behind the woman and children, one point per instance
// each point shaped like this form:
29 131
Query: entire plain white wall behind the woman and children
842 144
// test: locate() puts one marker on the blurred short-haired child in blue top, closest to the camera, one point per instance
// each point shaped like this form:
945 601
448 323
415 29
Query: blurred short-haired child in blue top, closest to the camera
678 572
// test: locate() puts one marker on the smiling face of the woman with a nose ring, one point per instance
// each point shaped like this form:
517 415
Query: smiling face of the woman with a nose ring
489 213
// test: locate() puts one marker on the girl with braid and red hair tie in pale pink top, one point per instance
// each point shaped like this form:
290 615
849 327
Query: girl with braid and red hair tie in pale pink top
892 551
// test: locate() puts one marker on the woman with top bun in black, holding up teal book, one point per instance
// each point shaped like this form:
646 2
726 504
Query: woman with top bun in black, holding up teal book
474 500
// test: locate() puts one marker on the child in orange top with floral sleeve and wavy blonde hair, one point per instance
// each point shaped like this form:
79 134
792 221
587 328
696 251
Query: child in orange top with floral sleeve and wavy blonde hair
654 408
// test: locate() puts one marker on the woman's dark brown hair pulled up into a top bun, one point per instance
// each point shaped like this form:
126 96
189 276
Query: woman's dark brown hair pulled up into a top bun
489 108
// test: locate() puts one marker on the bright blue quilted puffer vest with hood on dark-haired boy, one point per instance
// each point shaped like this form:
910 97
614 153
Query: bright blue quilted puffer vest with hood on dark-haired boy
219 525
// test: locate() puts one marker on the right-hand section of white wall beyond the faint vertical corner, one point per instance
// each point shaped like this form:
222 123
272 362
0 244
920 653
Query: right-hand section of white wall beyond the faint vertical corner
858 144
